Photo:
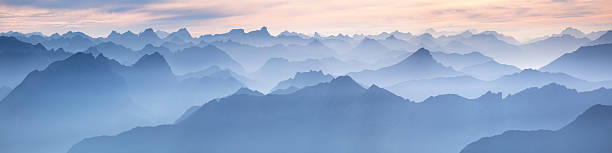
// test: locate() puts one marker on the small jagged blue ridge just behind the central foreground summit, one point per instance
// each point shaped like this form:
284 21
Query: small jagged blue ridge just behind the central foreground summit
302 79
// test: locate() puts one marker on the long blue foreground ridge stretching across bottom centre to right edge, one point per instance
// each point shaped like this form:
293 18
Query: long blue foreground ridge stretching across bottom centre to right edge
342 116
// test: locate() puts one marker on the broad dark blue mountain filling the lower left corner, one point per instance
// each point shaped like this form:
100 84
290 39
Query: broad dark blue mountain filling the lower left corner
74 98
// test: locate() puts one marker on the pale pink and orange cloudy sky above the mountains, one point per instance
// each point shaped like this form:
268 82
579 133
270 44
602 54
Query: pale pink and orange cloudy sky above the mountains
523 19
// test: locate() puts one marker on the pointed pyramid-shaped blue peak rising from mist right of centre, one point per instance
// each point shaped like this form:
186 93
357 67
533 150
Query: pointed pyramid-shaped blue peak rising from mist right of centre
419 65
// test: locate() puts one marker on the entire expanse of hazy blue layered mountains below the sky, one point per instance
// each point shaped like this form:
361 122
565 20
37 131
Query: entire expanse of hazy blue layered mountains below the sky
166 92
